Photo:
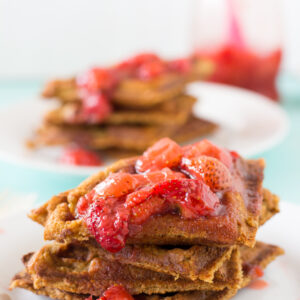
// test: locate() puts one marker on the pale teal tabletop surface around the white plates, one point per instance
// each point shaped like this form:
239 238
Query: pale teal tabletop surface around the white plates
282 174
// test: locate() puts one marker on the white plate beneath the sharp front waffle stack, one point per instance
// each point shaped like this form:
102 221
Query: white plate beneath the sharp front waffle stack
19 235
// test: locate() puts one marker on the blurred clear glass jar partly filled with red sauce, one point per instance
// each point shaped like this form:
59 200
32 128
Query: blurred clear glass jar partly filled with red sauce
241 40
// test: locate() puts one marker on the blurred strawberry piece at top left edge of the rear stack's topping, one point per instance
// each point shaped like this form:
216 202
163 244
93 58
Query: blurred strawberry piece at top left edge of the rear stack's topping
96 79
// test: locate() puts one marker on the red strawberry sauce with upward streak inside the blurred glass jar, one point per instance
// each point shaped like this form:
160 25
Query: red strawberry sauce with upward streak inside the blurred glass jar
235 64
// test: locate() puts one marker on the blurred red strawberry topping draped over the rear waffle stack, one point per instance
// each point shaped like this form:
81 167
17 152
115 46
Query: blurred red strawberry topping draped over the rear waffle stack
96 85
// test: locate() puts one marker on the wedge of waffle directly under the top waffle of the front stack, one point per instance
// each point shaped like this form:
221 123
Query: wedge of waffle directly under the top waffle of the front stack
194 263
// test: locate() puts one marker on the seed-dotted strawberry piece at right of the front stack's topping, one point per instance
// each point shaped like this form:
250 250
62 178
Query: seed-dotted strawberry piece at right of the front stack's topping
210 170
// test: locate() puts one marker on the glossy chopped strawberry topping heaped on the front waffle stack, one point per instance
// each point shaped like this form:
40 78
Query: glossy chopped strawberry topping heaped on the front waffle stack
188 181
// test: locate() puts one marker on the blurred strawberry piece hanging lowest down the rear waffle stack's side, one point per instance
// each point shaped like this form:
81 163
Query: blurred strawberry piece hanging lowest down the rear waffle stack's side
95 107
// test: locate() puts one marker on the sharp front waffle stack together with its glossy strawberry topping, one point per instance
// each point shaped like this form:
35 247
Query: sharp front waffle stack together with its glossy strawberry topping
175 223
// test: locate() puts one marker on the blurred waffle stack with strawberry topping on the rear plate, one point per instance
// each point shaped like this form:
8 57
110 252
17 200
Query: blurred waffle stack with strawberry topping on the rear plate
126 107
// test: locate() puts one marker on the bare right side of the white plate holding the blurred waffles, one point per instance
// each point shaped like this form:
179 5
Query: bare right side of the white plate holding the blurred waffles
249 122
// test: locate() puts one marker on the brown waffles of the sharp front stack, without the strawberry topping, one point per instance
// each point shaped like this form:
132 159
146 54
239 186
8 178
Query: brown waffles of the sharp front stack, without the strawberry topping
166 257
